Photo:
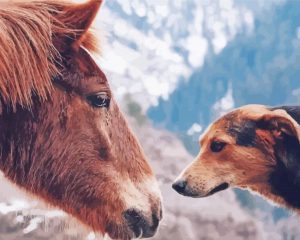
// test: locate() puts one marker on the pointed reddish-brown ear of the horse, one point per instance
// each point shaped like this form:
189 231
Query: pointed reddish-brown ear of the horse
78 18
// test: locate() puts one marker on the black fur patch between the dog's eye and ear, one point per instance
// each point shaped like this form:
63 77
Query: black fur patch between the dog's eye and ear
244 133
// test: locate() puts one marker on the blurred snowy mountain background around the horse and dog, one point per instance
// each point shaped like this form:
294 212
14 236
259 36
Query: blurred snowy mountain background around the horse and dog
175 66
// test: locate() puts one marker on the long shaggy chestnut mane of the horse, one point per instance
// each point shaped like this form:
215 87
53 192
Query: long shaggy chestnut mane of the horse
28 56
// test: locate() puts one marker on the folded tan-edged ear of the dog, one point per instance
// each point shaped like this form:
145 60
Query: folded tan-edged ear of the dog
279 122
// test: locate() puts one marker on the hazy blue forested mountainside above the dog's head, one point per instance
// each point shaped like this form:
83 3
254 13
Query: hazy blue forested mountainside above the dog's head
261 67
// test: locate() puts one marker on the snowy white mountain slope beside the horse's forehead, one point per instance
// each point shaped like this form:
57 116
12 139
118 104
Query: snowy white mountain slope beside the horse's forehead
150 45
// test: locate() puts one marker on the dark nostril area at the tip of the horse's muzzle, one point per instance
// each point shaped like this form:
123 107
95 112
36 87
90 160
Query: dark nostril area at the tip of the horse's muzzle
140 226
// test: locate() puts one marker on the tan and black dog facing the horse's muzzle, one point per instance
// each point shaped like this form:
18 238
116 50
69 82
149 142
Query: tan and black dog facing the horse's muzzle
254 147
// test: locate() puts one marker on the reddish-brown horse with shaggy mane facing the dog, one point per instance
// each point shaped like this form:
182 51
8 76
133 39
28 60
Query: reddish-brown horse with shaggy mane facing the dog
62 136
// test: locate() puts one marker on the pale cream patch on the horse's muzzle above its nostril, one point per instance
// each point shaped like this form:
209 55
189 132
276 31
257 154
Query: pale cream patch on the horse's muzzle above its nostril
141 195
